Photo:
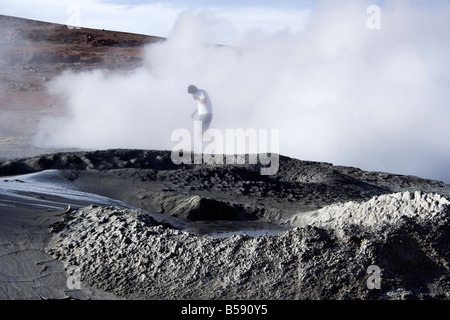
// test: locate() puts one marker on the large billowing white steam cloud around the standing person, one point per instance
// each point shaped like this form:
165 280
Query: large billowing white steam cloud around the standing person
337 91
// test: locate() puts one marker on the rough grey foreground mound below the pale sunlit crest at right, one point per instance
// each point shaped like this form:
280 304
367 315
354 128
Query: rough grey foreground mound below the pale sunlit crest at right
127 253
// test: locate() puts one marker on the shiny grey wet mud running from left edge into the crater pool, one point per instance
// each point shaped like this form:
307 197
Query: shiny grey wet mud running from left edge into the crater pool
48 189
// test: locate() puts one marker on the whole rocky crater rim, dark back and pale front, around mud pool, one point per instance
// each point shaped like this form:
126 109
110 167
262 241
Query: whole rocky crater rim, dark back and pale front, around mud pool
342 220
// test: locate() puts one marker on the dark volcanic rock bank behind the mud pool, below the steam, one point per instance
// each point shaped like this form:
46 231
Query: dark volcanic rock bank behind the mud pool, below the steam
150 180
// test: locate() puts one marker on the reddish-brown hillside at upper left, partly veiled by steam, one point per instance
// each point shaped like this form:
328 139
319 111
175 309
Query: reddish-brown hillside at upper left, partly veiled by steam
34 52
